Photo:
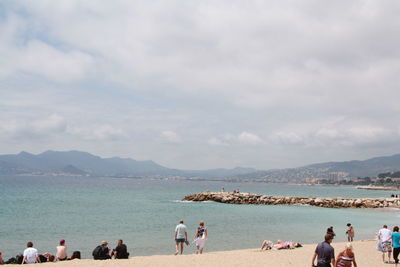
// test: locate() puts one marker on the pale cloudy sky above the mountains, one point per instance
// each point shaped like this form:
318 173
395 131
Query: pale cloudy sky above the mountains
202 84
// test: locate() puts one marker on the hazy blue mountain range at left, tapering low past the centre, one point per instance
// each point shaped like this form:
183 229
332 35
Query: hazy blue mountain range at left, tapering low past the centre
83 163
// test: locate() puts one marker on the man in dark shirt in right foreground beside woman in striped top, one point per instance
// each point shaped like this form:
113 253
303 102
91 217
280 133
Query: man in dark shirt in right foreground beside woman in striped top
325 253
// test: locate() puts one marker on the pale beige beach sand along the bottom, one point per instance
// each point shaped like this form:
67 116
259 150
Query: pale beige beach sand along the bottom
365 253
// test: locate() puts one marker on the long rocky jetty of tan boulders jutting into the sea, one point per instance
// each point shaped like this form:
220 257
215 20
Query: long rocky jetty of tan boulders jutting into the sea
257 199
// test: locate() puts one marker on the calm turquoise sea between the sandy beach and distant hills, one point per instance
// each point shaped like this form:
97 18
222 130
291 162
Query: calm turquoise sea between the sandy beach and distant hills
85 211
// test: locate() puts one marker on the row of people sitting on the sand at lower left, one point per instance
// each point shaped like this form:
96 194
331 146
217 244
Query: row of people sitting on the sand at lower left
101 252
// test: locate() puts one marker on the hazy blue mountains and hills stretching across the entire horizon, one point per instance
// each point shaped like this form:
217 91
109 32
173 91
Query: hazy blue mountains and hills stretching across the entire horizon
83 163
